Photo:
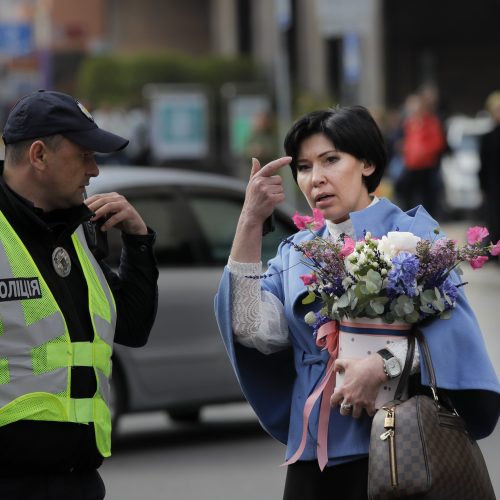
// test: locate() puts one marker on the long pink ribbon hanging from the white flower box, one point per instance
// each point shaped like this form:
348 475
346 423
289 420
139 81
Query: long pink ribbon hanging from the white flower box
324 389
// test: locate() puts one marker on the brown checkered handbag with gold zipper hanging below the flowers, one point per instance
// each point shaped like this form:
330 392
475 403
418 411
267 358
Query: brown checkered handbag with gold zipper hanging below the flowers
421 449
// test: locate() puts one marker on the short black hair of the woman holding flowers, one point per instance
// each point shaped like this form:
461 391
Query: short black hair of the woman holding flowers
351 129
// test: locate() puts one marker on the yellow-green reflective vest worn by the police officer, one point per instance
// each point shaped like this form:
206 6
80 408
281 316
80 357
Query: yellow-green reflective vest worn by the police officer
36 352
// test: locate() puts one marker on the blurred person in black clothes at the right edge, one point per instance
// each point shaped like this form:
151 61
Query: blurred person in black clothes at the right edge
489 173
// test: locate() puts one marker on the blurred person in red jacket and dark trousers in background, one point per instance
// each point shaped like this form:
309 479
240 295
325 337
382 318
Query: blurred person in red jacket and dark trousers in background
423 145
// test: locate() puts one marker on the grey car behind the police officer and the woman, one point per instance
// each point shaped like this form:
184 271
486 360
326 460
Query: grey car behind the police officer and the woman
184 365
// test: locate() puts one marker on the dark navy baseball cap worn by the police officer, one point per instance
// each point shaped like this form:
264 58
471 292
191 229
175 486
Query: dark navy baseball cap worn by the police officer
45 112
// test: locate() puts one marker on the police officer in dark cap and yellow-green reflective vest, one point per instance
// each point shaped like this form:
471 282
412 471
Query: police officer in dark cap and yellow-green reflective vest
60 308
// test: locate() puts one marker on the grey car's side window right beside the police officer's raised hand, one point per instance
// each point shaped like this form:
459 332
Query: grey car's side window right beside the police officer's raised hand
175 237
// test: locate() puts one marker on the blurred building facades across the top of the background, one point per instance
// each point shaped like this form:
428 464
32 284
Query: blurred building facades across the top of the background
371 51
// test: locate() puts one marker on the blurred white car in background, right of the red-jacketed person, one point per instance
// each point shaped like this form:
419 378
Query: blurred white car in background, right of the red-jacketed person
460 166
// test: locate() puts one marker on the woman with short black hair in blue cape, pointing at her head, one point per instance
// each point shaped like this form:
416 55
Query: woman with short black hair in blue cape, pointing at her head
337 158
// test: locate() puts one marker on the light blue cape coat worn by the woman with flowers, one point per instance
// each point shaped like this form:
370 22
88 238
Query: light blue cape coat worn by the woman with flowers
277 385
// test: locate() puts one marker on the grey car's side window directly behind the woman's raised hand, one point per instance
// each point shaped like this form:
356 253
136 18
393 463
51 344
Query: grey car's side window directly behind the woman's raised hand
217 217
